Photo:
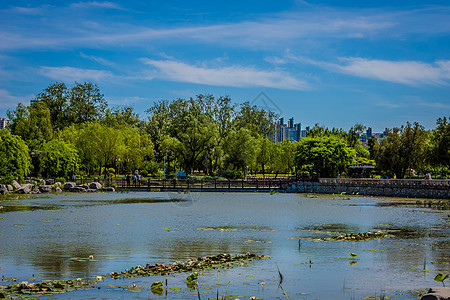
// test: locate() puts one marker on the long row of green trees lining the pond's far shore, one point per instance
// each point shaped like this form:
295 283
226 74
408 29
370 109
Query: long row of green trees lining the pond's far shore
72 130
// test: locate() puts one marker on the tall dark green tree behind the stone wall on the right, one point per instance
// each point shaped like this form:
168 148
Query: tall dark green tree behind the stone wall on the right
402 149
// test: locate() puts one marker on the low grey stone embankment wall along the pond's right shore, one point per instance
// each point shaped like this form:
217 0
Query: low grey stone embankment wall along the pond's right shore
435 189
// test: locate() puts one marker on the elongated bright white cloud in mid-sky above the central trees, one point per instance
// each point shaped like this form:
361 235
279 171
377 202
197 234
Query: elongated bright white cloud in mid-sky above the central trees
234 76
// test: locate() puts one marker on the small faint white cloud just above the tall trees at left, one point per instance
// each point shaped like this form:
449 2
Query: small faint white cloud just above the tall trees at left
69 74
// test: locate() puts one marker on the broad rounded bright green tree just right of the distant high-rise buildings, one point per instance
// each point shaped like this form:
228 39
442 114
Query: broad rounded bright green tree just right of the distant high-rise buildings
324 156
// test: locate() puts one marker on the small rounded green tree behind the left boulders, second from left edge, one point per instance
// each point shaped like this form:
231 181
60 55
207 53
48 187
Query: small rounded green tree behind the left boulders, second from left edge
58 159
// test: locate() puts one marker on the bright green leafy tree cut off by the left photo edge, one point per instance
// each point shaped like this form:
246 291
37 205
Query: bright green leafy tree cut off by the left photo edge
15 160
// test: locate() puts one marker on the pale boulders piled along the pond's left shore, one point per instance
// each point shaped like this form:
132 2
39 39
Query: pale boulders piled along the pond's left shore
42 186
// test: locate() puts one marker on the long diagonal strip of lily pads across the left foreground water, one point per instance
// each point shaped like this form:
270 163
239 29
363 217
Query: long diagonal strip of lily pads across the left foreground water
49 287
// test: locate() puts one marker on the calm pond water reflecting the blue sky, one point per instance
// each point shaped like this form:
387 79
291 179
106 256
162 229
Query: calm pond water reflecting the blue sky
50 237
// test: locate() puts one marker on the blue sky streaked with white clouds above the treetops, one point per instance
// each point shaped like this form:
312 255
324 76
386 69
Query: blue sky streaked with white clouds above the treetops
336 63
